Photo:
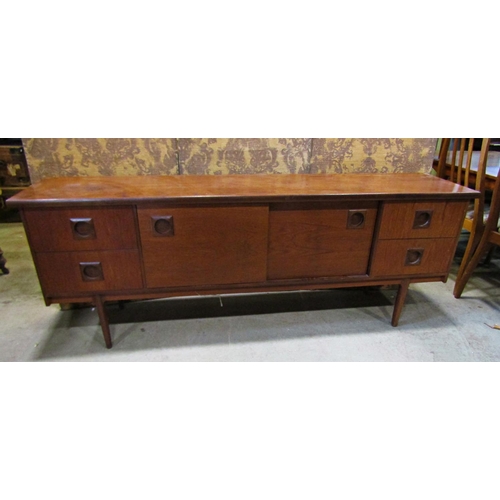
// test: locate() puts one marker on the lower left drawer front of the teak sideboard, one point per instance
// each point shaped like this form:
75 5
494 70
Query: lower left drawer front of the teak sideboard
76 272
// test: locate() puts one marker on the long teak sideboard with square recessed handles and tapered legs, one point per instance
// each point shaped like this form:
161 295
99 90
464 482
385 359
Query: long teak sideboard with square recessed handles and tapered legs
122 238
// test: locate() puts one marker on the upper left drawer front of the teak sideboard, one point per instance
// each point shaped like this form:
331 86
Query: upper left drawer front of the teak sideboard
76 229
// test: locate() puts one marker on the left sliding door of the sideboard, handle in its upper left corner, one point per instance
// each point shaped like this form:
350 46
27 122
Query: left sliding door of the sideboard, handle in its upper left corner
203 246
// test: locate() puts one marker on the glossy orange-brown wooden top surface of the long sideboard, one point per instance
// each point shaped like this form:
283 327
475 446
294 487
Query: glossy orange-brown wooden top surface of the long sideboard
236 188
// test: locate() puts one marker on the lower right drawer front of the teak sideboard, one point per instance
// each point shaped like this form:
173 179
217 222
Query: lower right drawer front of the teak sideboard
412 257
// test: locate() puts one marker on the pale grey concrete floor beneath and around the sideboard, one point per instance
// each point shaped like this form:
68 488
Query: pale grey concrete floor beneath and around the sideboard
339 325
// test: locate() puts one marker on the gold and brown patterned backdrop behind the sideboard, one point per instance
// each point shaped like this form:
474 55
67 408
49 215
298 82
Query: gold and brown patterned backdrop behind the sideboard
94 157
